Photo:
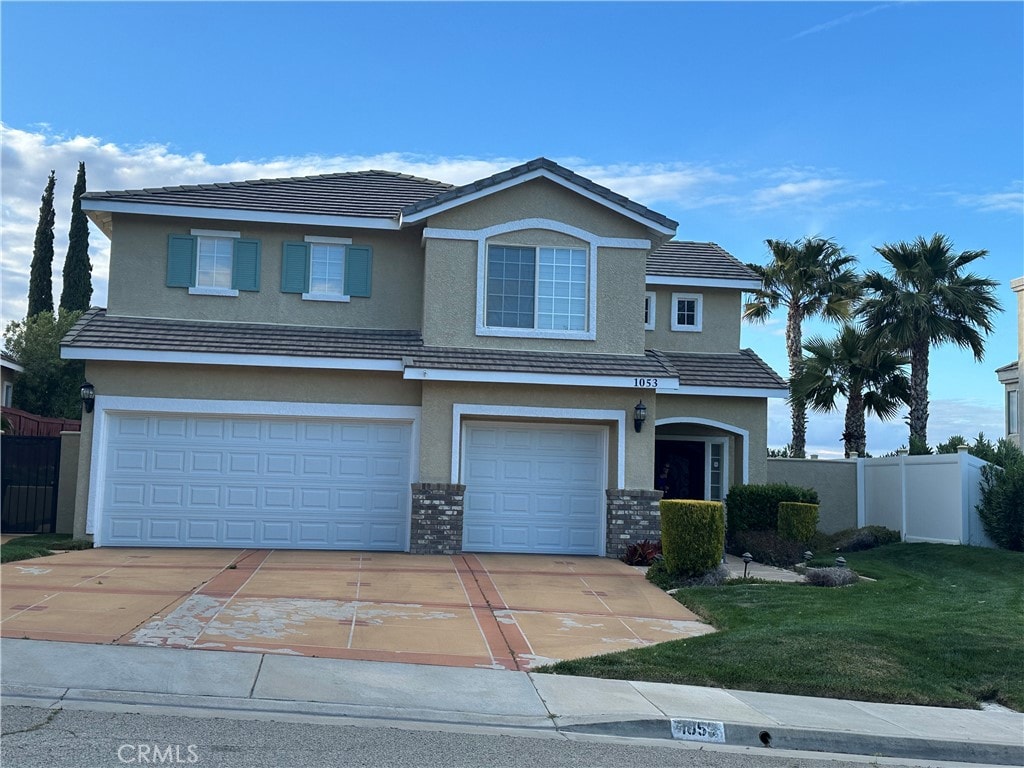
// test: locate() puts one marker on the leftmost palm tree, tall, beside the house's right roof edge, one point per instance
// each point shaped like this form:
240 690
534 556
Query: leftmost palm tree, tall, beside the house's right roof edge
810 278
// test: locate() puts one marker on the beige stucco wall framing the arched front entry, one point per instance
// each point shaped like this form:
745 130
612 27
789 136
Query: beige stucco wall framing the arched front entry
746 413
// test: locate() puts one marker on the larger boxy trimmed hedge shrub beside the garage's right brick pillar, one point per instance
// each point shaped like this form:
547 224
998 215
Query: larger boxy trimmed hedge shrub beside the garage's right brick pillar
693 536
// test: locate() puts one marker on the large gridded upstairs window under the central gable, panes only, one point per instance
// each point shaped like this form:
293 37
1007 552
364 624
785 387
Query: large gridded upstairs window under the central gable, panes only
537 288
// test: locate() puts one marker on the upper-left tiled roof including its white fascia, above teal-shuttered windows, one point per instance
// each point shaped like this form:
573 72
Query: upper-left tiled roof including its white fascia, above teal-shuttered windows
364 195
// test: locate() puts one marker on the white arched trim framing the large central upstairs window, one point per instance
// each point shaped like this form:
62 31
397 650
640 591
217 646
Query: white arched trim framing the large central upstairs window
483 236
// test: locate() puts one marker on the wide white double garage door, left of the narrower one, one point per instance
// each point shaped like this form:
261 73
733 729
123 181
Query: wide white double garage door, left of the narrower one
184 481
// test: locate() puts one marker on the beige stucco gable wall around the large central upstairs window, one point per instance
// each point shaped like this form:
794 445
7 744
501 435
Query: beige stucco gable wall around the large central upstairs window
452 270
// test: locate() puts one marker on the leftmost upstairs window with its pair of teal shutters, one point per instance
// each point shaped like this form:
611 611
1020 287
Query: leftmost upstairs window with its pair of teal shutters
214 263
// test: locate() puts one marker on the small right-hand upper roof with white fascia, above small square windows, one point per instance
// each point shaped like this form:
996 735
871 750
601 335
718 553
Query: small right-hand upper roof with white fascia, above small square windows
690 264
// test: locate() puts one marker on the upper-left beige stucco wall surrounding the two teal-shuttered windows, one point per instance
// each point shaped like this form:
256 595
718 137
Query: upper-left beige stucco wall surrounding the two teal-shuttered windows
139 271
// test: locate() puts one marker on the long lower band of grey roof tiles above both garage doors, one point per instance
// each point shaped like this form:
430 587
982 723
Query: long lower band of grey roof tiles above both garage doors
98 330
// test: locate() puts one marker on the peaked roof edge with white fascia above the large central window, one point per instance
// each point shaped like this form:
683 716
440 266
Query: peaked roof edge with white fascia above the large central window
540 168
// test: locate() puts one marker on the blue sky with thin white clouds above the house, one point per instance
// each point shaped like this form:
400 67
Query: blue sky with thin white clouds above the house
865 122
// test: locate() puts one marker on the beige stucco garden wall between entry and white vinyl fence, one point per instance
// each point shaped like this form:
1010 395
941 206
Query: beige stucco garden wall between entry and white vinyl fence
836 483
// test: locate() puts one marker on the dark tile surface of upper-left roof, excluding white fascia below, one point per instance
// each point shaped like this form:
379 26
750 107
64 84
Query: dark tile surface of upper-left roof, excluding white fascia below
370 194
